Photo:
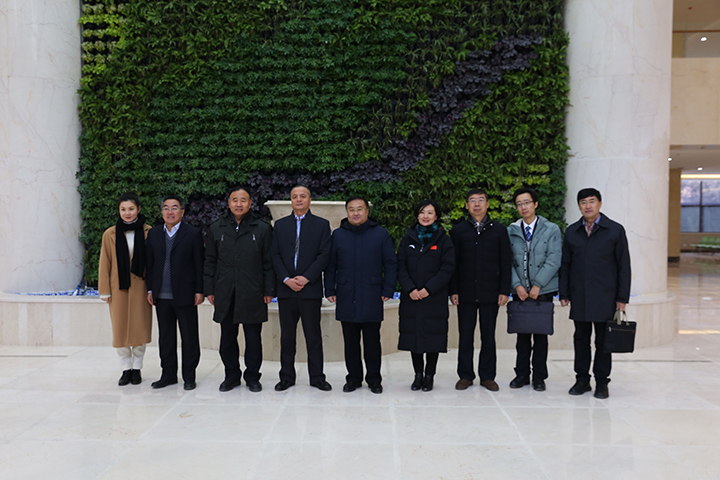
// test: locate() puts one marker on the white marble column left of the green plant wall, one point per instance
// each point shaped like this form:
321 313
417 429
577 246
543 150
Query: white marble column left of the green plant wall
39 149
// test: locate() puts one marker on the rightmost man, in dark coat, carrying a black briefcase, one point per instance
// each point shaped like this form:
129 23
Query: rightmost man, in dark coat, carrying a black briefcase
595 281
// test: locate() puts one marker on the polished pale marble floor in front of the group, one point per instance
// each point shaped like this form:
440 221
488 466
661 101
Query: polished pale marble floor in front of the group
62 416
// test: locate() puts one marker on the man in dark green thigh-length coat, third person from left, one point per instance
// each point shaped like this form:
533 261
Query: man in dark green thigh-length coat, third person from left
239 282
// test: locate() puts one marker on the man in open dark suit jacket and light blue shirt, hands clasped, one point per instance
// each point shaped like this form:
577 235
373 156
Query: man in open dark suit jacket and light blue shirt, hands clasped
300 253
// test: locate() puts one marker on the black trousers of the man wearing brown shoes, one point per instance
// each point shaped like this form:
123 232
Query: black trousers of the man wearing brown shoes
467 318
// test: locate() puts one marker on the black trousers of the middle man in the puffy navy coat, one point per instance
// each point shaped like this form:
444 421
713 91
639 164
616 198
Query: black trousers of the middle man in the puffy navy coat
371 346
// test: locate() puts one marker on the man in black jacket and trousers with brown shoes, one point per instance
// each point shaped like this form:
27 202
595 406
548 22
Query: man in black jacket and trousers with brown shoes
480 285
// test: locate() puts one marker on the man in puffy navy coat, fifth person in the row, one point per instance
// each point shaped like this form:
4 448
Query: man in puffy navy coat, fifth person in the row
361 276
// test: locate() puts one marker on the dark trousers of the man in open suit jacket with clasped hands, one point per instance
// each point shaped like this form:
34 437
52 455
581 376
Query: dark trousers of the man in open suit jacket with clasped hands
290 310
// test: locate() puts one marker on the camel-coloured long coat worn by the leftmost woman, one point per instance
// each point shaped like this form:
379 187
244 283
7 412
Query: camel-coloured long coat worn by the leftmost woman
130 312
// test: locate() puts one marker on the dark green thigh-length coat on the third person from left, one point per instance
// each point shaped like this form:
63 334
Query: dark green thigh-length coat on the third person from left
238 267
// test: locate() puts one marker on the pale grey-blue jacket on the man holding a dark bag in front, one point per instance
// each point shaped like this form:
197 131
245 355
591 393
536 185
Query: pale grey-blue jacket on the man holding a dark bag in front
544 257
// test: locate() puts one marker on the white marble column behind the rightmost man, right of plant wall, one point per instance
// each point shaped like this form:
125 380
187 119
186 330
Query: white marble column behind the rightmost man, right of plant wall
618 129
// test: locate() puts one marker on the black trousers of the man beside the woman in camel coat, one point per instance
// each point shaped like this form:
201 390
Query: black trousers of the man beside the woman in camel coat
170 317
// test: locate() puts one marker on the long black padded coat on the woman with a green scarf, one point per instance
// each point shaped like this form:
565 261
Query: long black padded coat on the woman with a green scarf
424 323
